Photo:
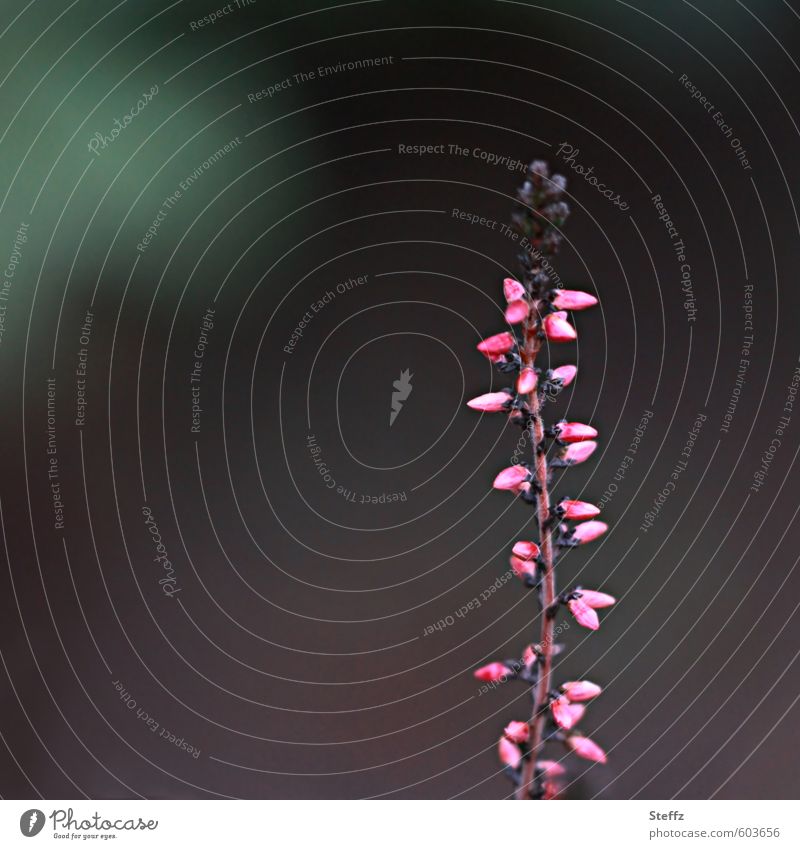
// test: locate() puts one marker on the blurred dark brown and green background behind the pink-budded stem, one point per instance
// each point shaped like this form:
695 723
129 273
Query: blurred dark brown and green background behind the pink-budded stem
287 650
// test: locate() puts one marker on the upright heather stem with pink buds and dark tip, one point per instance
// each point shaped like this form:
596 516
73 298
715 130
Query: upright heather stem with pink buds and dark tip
538 313
